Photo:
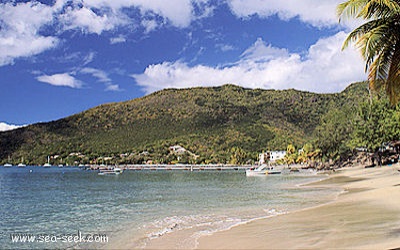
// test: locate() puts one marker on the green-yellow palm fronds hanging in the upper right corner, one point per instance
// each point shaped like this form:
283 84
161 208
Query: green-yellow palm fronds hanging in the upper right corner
378 39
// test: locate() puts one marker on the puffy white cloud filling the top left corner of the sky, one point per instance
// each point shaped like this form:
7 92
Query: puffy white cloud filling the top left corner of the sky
19 30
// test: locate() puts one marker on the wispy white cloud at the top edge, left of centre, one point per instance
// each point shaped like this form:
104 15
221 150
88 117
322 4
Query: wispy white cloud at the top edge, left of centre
154 13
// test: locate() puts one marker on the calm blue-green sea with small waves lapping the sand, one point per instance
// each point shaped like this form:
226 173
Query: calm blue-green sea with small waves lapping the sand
71 208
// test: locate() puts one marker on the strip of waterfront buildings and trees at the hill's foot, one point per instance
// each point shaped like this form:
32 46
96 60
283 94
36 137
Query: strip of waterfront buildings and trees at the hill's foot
389 153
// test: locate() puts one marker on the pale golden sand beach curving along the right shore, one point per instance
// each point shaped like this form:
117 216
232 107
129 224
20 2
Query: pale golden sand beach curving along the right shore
366 215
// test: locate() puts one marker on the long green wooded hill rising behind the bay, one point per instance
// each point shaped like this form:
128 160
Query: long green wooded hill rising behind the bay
212 123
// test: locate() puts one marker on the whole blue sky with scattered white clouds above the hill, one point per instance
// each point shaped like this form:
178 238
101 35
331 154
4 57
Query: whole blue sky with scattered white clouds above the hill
61 57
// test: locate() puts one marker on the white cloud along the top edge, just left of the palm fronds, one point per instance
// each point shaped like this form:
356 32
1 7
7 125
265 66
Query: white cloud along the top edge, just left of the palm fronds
316 13
